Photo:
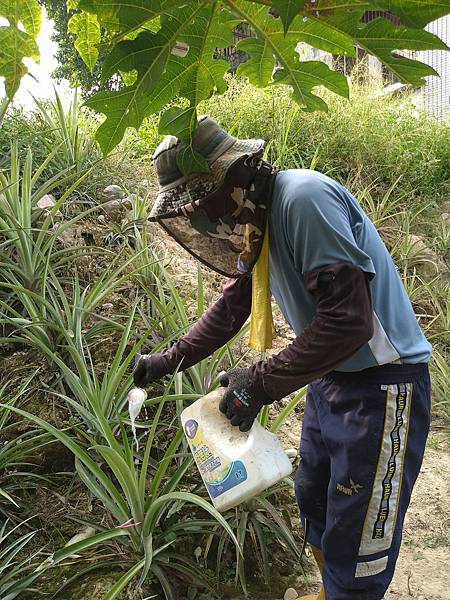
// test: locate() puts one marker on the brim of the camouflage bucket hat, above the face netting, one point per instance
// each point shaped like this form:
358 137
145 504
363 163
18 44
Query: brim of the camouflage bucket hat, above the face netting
201 184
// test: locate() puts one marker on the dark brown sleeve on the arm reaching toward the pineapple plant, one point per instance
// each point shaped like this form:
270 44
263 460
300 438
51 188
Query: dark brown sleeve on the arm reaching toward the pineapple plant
215 328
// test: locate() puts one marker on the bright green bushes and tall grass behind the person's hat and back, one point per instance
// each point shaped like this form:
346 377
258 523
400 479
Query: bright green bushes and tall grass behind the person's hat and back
367 139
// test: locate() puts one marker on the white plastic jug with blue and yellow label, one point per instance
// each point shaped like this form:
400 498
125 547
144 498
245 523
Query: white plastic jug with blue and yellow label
235 466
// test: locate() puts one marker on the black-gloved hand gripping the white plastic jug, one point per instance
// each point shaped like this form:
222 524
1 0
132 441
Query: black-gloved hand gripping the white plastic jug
243 399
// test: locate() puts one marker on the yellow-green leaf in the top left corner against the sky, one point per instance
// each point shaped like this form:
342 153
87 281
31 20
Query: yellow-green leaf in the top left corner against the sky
18 40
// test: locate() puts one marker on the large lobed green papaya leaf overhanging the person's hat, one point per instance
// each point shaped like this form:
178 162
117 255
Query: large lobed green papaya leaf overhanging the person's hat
164 49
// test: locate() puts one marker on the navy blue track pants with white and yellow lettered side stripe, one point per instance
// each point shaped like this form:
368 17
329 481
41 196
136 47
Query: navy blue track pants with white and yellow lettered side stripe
362 445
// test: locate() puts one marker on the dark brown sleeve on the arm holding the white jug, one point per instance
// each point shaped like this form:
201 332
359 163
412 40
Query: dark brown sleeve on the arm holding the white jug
342 324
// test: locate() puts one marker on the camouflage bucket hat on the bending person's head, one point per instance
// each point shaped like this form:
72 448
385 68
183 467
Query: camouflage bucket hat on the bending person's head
219 148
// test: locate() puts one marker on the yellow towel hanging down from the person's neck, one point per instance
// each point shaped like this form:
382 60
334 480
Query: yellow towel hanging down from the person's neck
262 330
